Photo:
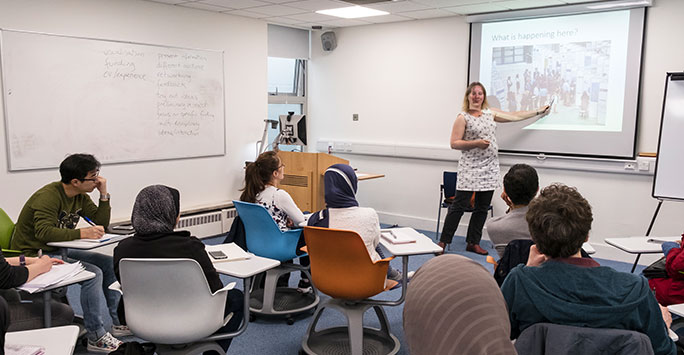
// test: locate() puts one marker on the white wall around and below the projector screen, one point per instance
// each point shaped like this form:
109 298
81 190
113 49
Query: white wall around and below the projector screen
406 81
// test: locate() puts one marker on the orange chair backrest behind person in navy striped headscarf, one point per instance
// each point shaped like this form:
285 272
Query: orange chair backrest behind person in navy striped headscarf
341 266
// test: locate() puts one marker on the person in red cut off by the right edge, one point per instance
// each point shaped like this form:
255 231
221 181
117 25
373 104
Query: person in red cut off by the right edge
670 290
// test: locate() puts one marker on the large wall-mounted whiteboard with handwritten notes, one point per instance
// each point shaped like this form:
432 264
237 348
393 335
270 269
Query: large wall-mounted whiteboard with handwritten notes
121 101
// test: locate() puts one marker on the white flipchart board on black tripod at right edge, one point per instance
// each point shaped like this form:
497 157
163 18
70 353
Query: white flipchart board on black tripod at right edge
669 173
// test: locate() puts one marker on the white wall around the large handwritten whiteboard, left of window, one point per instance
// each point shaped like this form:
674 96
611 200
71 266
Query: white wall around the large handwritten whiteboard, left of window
201 180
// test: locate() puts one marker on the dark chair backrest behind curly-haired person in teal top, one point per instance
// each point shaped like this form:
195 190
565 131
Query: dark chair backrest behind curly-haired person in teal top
547 338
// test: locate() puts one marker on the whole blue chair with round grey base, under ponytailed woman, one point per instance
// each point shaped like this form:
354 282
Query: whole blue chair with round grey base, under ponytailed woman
265 239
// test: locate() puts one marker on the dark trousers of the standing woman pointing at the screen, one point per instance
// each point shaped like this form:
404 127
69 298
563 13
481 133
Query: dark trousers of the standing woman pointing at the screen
460 205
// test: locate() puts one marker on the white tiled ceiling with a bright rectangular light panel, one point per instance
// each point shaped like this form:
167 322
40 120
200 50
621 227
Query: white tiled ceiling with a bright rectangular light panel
301 13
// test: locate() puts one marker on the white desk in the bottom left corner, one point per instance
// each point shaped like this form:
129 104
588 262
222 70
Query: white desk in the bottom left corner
56 341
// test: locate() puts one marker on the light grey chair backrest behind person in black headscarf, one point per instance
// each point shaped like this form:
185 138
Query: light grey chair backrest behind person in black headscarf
168 301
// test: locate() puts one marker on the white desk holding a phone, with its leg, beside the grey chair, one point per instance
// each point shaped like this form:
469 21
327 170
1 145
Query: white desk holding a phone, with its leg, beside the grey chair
242 269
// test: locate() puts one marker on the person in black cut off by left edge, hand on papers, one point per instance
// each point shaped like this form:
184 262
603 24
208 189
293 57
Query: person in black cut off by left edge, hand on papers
15 272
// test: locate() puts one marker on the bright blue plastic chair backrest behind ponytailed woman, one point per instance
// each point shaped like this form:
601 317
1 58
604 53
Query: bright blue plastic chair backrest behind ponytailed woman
262 234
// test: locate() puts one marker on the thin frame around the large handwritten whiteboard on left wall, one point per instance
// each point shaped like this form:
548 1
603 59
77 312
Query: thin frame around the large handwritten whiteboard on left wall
4 95
